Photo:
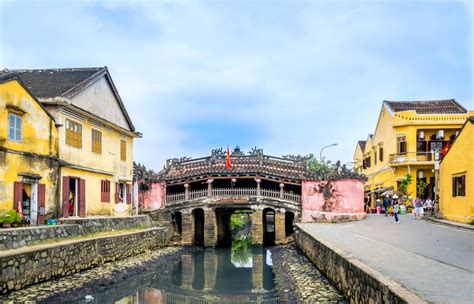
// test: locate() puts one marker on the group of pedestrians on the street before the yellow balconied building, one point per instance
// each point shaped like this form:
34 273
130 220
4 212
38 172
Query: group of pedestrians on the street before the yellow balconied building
420 206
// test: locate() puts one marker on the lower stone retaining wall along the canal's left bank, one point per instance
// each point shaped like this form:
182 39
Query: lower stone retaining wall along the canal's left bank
28 266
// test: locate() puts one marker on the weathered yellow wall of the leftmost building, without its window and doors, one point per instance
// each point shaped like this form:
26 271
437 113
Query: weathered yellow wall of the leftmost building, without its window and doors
39 141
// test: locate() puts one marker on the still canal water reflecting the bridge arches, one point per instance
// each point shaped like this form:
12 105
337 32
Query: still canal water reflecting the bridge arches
223 275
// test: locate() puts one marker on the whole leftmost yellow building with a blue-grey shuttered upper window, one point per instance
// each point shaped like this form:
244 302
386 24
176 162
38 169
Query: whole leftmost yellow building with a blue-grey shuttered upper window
29 166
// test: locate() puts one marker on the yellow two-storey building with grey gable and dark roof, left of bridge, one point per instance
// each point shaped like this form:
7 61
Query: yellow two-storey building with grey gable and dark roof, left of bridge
95 138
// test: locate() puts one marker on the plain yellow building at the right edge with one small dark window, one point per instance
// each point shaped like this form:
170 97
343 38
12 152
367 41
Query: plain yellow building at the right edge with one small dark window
456 177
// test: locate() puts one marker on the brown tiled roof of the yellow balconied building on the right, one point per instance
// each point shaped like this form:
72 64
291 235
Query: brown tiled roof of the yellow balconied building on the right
445 106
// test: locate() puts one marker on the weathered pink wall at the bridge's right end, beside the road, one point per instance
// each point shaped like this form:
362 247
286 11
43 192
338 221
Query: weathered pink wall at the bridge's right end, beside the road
347 199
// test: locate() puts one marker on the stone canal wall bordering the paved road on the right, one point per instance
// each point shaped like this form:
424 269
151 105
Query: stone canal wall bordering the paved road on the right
358 282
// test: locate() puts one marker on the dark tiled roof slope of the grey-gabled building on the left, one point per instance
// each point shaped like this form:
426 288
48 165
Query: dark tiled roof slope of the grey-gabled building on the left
50 83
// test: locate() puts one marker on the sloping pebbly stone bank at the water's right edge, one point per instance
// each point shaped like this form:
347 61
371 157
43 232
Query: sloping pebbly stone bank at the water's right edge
298 281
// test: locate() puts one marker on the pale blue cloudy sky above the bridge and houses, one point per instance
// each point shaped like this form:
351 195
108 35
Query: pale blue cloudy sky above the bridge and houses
289 77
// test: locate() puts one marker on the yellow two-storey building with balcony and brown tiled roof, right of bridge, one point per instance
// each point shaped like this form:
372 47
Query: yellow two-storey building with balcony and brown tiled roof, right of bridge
406 138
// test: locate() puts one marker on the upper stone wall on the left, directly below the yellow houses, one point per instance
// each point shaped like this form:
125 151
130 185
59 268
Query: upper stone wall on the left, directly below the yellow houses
13 238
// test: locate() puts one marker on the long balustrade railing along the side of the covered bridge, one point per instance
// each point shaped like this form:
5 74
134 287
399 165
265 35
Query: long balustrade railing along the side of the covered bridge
232 192
